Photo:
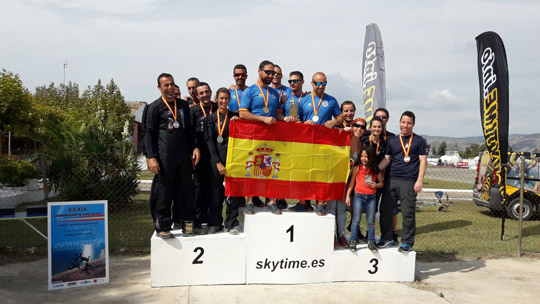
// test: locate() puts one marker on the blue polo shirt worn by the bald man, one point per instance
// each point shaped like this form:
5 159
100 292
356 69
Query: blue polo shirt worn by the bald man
329 107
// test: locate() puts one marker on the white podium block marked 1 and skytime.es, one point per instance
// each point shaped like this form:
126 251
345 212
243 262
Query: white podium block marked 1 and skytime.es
292 248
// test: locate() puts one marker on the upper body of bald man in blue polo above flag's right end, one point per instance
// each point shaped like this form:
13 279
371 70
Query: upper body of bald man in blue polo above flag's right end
318 107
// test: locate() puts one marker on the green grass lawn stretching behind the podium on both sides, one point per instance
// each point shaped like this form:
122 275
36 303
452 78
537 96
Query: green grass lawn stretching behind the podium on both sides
464 231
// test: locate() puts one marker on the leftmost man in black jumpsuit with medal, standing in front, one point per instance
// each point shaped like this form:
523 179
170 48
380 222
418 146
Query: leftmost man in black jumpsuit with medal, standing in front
173 156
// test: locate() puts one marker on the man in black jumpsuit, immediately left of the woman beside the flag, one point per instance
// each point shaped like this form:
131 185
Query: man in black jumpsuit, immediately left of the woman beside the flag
203 172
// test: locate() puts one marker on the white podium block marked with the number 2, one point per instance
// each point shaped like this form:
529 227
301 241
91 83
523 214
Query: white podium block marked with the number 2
199 260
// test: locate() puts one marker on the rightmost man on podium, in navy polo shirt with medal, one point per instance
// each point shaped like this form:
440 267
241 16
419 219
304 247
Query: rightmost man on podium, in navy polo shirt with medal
407 153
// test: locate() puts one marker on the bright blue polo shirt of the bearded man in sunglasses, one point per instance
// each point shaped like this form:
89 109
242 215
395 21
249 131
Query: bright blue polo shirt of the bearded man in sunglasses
253 101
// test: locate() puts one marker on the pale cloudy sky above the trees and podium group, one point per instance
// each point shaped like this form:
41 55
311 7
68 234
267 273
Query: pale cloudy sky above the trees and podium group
430 49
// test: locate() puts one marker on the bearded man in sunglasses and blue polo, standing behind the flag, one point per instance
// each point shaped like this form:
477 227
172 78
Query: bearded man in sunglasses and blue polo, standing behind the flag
261 103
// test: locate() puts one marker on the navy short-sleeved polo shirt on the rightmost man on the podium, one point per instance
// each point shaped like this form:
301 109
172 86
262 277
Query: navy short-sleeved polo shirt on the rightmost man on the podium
405 170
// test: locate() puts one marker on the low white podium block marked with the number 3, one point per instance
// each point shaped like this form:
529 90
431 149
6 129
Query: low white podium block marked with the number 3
387 265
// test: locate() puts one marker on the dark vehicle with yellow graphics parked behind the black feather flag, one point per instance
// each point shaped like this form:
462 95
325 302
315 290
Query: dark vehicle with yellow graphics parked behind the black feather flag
490 197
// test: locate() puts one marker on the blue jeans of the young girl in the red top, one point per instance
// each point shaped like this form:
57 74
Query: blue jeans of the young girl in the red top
361 202
